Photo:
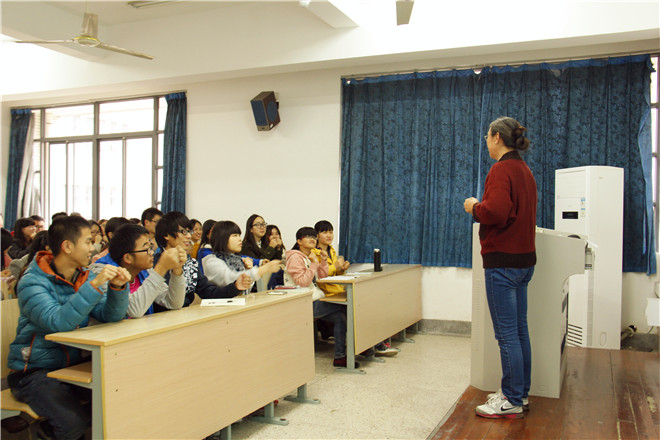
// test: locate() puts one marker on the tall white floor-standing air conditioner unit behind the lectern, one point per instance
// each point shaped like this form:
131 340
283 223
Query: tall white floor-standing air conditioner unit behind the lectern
589 202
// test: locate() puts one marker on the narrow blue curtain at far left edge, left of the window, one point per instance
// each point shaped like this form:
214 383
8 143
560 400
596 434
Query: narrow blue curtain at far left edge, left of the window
20 122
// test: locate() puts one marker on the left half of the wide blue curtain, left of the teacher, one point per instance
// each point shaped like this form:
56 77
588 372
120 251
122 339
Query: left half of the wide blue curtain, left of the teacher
402 135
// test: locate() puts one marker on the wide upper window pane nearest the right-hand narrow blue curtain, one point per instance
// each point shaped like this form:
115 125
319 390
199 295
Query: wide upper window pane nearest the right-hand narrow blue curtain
126 116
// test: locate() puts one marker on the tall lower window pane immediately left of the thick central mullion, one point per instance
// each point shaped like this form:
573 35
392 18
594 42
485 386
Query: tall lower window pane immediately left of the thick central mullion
80 178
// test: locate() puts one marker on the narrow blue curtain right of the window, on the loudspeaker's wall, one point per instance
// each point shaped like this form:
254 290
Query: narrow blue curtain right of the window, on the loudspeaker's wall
174 154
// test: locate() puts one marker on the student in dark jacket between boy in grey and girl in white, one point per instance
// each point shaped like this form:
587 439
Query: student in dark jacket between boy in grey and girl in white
171 232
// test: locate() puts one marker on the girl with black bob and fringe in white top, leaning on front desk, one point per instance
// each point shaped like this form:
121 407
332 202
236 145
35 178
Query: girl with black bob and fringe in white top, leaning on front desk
225 264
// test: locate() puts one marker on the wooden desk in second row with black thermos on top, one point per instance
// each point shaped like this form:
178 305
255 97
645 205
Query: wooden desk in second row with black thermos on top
379 305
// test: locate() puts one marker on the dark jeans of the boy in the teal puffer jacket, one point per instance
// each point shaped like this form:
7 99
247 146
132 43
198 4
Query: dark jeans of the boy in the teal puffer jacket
58 402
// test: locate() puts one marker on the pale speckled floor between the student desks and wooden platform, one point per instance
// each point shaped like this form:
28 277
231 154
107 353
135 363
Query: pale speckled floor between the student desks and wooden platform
404 398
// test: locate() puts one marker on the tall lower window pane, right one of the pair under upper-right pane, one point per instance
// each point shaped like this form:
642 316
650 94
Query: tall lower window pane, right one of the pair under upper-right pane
139 167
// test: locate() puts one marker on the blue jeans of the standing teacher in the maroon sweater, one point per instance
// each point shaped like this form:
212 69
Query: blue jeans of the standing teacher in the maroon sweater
506 291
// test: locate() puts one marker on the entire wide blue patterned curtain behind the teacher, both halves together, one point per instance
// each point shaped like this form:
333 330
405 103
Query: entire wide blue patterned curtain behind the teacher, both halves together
593 112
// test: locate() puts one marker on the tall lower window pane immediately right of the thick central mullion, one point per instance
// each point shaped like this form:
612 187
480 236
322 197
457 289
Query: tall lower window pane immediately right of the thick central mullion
110 179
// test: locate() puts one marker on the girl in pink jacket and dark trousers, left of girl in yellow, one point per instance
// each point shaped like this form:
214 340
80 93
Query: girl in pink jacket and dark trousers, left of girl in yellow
303 269
